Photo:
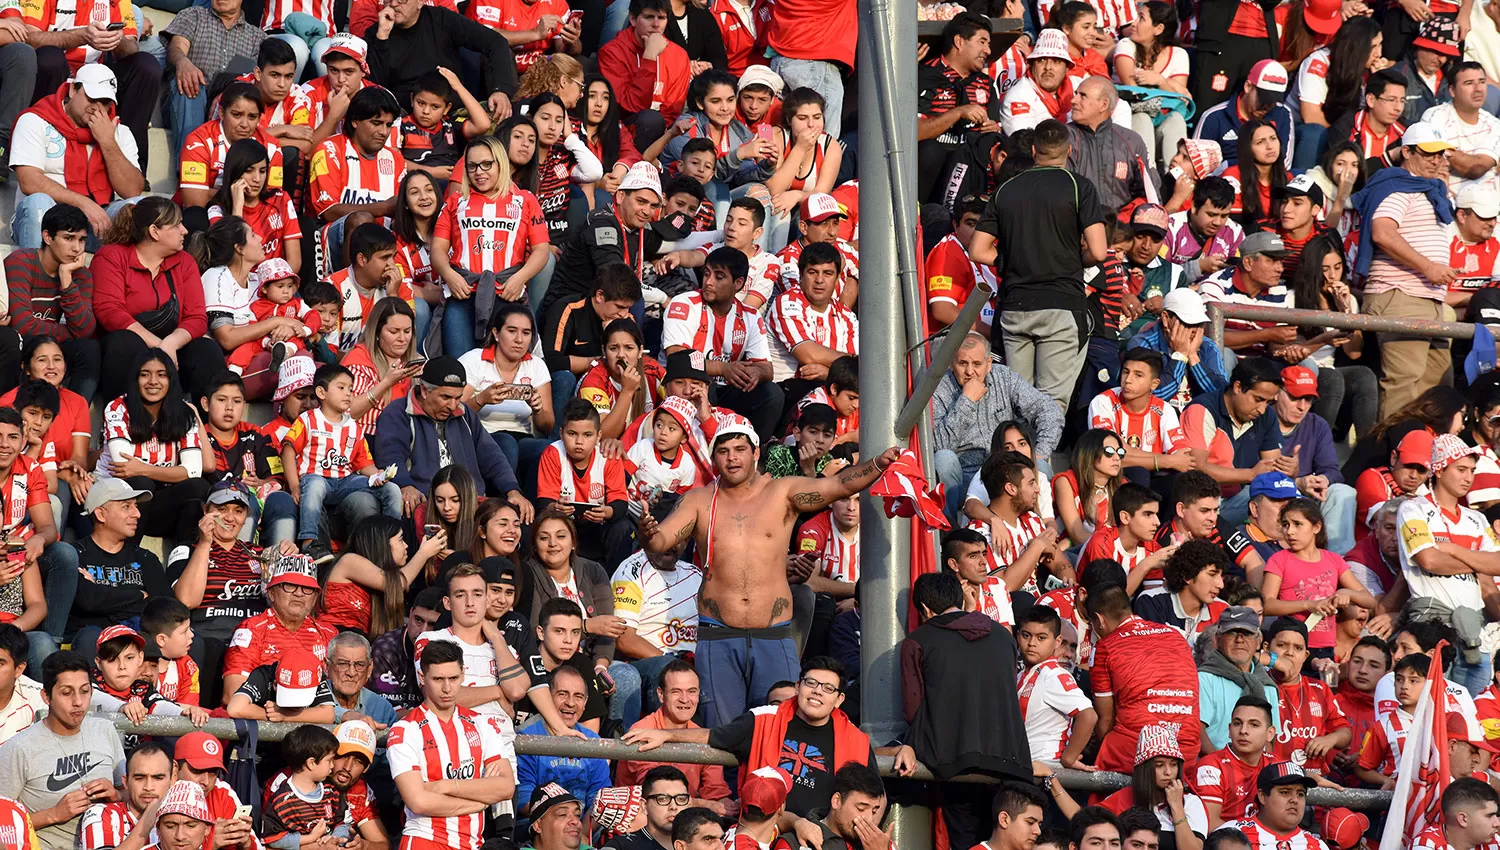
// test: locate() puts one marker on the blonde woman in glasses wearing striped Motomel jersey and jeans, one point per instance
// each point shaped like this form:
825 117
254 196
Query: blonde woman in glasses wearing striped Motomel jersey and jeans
490 226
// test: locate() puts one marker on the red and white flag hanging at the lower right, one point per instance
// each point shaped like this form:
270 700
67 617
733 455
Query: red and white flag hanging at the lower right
1424 774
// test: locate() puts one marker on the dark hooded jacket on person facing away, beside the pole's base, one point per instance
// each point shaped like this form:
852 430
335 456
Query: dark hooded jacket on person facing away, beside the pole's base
961 722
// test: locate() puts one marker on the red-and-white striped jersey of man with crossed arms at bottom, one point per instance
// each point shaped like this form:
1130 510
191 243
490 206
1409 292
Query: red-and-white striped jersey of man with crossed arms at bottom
455 749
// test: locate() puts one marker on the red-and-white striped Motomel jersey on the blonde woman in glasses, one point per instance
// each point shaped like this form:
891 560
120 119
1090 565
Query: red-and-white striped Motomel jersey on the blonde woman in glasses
491 235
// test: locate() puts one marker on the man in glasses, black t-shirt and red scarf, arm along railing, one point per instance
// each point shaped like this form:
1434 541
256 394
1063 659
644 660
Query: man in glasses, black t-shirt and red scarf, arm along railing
808 737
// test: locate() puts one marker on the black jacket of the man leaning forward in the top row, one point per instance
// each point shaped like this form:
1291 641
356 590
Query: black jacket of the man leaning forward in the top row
400 61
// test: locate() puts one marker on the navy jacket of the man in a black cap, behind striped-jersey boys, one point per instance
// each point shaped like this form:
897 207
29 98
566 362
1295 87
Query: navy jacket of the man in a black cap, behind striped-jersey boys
410 441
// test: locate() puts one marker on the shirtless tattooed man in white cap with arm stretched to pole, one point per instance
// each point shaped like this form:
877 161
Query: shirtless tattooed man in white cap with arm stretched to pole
743 525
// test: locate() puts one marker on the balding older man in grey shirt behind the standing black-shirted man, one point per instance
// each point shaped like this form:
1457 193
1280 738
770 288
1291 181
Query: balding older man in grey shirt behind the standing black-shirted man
1112 157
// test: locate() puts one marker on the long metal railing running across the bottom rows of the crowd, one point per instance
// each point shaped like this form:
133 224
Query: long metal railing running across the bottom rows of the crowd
1088 782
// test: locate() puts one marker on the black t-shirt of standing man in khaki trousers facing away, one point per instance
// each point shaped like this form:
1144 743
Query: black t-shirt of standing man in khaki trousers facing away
1037 220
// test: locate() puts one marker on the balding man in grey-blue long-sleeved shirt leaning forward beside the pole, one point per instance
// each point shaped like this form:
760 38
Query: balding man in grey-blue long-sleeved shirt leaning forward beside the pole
974 398
